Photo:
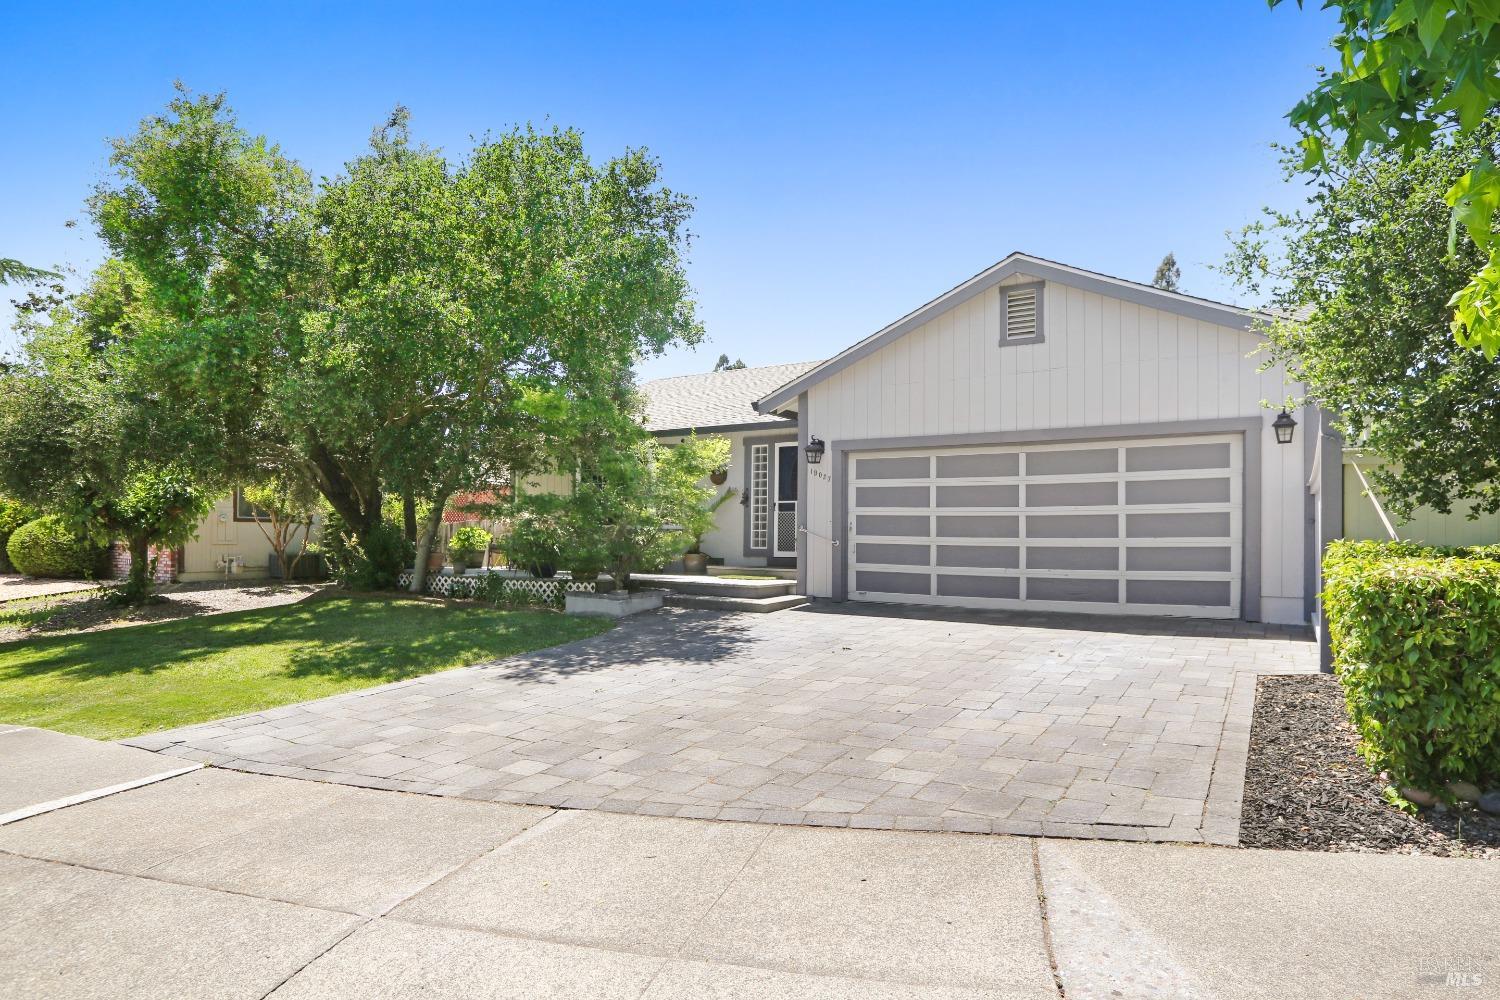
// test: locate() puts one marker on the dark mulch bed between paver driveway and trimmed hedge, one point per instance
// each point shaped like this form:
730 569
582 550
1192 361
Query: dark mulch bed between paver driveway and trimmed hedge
1309 789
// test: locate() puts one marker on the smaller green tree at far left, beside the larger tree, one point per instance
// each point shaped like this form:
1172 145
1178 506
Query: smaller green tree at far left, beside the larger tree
88 436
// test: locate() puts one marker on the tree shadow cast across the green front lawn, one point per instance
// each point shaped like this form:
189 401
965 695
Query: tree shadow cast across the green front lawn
373 638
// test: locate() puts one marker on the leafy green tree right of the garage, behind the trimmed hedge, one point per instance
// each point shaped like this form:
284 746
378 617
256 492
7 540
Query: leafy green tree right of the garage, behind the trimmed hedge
1364 281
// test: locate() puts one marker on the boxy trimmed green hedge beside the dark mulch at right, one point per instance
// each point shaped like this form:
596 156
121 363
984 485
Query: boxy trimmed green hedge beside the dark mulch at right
1417 645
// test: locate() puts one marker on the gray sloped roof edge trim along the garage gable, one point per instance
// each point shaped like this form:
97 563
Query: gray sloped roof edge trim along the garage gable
1205 310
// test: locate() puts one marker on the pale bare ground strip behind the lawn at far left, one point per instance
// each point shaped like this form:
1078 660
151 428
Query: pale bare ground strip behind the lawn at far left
89 612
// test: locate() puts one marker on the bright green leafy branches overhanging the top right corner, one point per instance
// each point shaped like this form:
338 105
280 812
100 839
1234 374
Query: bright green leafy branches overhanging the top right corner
1411 76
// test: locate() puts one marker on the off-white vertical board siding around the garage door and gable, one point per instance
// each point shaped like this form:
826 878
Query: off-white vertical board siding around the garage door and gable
1103 362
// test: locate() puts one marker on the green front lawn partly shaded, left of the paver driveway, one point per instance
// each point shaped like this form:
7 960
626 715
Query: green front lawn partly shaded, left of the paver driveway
145 678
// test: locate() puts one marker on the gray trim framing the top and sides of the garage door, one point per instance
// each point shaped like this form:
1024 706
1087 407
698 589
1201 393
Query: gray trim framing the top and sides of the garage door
1252 428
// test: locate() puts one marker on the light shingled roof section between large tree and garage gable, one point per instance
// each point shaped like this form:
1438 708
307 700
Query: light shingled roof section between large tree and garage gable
716 401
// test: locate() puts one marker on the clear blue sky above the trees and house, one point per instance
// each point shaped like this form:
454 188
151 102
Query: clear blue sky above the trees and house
848 163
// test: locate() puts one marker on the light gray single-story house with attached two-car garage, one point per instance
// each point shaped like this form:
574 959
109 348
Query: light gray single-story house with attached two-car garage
1039 437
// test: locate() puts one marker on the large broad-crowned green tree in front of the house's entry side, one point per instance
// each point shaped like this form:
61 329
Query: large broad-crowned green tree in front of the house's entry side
409 325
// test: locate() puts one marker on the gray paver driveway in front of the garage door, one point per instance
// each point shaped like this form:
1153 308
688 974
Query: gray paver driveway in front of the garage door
830 716
